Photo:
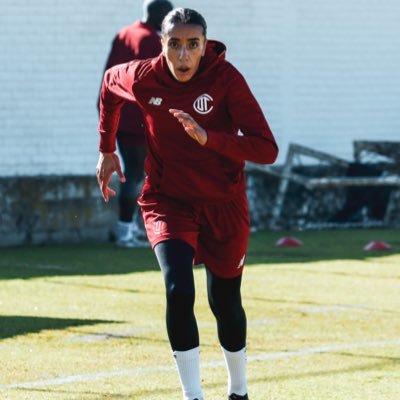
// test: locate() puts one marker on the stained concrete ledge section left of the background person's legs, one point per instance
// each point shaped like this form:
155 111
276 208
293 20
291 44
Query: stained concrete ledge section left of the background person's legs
53 209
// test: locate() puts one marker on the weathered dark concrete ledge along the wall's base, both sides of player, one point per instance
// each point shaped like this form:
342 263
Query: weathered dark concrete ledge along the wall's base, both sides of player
67 209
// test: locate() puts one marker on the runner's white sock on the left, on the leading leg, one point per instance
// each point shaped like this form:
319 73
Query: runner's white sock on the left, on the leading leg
188 363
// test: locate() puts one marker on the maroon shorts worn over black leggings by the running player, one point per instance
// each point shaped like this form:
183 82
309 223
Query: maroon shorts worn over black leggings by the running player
219 232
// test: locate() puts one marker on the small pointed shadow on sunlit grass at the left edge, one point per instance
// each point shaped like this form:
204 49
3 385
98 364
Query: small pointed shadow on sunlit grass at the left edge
14 325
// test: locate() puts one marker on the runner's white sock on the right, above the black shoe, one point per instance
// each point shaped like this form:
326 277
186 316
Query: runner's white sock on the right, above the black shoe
236 365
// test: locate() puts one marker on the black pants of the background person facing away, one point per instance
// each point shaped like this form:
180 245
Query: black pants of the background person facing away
133 161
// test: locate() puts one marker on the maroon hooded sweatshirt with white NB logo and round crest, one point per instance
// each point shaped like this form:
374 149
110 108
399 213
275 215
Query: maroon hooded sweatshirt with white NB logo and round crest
218 98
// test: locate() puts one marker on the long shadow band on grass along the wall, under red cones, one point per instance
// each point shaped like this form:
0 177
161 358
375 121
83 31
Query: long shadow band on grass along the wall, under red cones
27 262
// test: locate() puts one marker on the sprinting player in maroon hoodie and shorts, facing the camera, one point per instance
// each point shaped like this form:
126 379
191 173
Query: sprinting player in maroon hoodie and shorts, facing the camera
194 196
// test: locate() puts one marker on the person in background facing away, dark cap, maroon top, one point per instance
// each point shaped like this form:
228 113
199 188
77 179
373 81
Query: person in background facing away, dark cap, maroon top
136 41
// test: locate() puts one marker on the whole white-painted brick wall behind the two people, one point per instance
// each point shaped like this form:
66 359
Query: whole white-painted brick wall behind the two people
325 73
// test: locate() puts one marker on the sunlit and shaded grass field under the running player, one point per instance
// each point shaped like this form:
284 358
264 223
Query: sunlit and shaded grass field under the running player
87 322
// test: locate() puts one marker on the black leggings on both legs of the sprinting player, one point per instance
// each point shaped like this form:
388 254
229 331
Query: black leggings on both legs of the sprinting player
175 258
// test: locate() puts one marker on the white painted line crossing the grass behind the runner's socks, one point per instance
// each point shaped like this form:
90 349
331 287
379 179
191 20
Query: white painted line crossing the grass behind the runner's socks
62 380
